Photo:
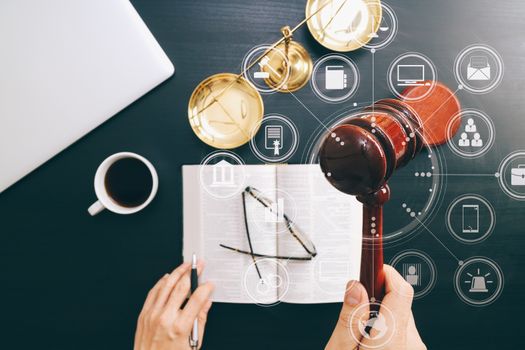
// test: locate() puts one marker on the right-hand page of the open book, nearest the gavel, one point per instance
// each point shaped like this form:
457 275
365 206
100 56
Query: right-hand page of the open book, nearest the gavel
333 222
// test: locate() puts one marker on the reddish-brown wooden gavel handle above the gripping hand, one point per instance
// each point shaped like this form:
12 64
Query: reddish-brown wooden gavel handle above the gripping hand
372 275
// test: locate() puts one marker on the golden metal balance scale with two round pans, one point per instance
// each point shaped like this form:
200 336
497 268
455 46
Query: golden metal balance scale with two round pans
225 110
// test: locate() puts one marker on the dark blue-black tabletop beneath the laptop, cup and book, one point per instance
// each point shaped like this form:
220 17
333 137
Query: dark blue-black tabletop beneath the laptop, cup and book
70 281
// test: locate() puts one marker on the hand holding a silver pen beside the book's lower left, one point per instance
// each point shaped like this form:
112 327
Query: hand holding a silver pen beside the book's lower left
162 324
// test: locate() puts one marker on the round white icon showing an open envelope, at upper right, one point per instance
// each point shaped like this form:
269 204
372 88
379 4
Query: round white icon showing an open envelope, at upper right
478 69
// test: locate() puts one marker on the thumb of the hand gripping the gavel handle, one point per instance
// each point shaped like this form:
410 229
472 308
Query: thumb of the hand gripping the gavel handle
346 334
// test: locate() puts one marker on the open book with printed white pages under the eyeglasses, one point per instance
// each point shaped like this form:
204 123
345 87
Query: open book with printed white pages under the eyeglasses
330 219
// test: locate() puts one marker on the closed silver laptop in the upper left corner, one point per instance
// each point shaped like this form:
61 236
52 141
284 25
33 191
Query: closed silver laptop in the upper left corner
66 67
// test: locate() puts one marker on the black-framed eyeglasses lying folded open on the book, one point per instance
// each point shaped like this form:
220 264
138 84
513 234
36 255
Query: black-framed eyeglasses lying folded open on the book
303 240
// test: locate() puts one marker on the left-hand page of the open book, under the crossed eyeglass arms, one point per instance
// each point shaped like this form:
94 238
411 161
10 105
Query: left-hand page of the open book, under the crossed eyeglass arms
211 221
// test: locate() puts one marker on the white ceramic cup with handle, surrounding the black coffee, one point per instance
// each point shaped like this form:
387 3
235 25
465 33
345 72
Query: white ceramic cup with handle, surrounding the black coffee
104 199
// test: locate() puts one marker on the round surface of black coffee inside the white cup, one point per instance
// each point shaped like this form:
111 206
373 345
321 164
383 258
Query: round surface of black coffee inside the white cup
129 182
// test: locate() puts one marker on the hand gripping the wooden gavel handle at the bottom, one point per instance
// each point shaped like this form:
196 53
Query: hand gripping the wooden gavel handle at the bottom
398 318
